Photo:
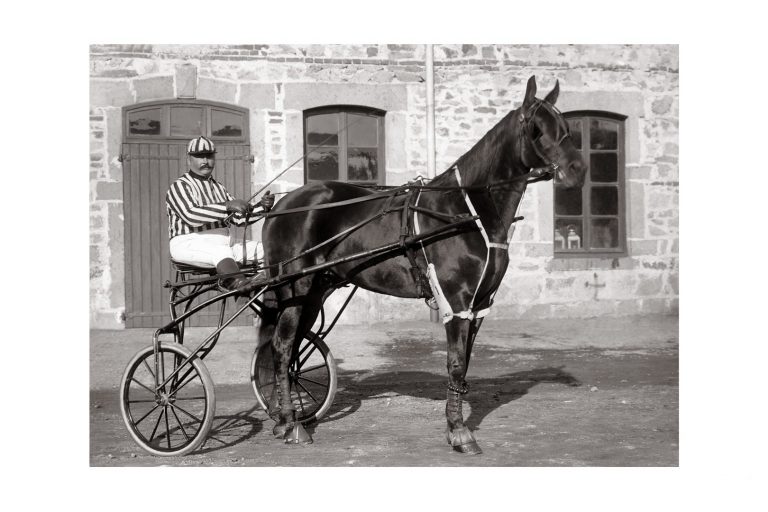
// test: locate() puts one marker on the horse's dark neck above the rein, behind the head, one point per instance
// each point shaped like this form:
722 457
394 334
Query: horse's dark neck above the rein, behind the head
487 155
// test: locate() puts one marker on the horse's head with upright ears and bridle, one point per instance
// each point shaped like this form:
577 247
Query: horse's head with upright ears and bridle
546 140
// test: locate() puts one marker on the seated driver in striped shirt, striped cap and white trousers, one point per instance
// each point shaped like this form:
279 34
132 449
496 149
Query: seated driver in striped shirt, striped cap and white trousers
199 210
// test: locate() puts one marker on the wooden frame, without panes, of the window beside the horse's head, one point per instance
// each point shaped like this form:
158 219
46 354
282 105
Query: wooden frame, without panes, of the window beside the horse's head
586 116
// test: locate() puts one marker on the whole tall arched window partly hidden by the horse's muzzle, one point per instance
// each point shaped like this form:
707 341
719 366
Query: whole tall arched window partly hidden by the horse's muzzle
591 221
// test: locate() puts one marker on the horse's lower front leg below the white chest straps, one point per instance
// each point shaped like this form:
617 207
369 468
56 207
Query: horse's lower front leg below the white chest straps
460 334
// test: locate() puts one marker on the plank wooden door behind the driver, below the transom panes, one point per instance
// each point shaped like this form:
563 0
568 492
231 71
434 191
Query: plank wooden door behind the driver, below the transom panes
148 170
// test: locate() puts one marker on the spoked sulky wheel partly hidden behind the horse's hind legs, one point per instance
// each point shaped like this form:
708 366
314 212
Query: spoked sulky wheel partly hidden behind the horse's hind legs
312 375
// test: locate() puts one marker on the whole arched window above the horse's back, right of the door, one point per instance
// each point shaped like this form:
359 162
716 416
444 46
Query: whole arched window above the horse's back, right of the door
344 143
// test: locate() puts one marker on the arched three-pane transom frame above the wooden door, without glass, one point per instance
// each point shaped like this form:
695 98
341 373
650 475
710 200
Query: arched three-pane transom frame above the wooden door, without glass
165 116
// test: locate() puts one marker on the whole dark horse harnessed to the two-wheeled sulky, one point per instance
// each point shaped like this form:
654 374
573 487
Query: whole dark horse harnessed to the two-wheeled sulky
467 266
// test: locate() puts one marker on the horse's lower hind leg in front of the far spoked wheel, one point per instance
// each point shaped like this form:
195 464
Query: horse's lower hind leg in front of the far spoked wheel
283 342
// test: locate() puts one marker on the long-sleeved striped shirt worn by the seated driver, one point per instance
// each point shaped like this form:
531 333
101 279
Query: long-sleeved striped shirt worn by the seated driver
197 204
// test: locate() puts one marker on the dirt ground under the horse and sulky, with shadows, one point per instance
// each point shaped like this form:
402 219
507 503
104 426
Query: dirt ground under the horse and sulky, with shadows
595 392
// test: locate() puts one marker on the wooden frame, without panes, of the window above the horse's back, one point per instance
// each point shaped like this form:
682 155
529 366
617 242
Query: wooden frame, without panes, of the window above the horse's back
344 110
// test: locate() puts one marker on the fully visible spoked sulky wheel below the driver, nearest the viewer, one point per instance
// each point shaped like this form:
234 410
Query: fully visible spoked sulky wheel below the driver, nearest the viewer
175 419
